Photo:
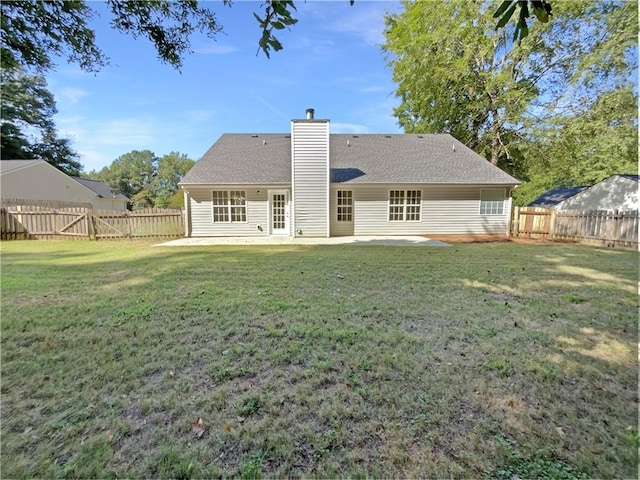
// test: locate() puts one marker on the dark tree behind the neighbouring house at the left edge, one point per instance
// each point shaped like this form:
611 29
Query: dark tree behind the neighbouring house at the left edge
27 126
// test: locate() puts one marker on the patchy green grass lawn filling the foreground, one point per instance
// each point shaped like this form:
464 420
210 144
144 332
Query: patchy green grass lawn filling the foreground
476 360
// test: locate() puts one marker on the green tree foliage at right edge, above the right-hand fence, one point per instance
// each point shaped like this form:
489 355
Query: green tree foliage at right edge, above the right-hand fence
591 131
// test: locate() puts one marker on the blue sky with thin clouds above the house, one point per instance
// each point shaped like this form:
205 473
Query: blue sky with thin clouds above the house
332 62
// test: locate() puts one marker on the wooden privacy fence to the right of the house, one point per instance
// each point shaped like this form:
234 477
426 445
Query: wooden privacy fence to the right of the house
613 229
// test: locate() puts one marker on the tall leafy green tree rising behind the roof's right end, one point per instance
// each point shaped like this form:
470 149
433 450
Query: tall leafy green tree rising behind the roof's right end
456 75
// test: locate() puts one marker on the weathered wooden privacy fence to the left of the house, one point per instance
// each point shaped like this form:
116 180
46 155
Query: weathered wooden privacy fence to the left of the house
49 221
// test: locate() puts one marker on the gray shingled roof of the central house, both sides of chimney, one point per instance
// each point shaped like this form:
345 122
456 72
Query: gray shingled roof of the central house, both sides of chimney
364 158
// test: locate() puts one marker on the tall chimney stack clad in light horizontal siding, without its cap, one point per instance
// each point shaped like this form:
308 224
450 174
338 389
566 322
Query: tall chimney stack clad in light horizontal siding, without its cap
310 177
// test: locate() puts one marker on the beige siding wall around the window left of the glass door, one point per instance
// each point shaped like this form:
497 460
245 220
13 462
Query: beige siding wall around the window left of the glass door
201 213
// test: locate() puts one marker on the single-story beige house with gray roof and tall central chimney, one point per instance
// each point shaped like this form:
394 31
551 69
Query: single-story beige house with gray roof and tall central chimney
309 182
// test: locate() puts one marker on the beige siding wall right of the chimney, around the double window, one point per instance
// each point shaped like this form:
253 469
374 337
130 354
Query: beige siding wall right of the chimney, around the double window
446 209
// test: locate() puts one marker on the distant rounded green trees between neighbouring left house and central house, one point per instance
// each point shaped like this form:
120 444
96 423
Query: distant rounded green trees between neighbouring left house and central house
147 180
